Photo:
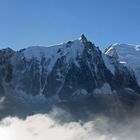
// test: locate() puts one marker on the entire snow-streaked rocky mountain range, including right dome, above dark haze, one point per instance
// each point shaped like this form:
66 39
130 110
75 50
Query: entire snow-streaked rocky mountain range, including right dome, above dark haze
71 71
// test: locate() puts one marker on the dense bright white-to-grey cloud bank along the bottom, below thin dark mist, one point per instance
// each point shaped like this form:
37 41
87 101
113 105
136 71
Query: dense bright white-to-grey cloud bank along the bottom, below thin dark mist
43 127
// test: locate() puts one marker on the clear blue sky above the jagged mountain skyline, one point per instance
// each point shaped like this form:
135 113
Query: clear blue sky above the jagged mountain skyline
26 23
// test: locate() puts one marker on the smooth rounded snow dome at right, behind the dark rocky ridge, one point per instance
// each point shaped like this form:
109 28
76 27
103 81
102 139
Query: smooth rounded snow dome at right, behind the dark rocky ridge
127 54
